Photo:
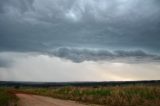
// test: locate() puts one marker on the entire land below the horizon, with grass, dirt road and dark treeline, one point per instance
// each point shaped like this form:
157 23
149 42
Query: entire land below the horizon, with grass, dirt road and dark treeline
115 94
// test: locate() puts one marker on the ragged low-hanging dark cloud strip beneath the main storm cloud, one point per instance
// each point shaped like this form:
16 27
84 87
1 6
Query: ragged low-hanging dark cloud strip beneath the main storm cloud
81 55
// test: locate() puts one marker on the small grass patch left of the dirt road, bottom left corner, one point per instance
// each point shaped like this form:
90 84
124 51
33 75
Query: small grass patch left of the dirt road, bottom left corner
7 98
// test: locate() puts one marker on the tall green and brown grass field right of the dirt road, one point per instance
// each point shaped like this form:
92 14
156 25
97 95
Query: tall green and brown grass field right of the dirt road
110 96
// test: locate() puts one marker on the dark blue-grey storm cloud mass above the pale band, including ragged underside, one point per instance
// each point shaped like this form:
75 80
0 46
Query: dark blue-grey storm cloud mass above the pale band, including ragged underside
43 26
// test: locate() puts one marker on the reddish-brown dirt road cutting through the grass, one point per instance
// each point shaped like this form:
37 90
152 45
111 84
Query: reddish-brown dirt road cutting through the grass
35 100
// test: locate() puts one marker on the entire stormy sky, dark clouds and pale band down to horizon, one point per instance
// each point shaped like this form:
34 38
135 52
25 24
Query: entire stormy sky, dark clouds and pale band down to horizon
79 40
